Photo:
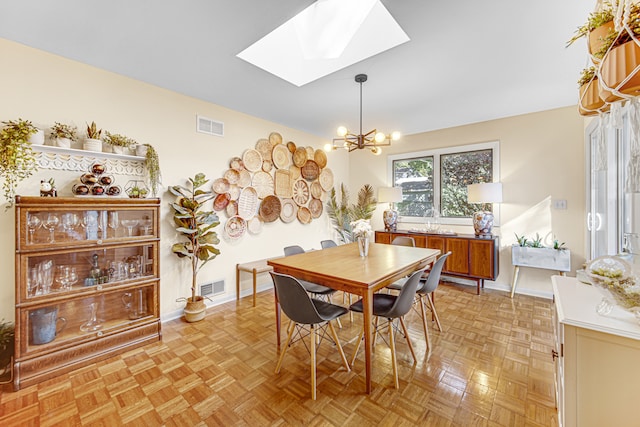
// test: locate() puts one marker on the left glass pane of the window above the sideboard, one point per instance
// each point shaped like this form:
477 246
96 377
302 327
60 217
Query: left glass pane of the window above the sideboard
415 176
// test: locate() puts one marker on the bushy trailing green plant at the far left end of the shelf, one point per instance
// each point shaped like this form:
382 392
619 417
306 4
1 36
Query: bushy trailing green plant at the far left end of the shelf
17 159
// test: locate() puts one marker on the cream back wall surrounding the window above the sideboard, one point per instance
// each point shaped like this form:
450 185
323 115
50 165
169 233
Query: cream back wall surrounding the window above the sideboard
541 160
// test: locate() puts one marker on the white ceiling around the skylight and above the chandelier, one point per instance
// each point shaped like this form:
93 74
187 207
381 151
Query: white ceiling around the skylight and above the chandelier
467 61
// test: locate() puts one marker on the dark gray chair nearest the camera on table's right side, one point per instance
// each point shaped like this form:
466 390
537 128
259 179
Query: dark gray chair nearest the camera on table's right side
392 307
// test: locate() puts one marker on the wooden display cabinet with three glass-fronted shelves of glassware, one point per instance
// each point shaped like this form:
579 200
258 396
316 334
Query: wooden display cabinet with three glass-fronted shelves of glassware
87 281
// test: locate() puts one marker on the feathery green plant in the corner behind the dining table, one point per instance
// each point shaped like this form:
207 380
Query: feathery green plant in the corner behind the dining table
342 213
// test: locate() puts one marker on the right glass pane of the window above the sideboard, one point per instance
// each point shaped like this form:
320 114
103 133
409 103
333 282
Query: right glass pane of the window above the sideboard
458 170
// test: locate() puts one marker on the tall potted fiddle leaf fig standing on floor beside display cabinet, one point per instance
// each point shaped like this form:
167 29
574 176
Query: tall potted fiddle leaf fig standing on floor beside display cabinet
196 225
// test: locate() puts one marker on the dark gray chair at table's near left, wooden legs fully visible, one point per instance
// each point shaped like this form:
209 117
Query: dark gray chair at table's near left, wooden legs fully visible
306 312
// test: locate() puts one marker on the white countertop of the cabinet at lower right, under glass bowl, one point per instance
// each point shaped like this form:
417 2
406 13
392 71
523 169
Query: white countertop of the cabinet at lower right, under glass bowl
576 306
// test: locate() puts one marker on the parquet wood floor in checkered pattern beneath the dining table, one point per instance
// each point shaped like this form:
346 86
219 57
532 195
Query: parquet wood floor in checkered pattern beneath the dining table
491 366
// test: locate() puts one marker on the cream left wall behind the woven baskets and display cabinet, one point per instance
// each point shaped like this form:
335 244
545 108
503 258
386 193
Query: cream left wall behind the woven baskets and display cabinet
45 88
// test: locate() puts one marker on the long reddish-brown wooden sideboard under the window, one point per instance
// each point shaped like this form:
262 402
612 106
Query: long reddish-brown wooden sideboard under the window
471 257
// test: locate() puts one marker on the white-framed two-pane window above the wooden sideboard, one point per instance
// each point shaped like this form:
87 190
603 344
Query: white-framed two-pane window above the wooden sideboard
436 181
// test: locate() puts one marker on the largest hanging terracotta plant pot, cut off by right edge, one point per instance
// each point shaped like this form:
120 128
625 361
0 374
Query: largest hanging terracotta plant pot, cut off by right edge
619 64
